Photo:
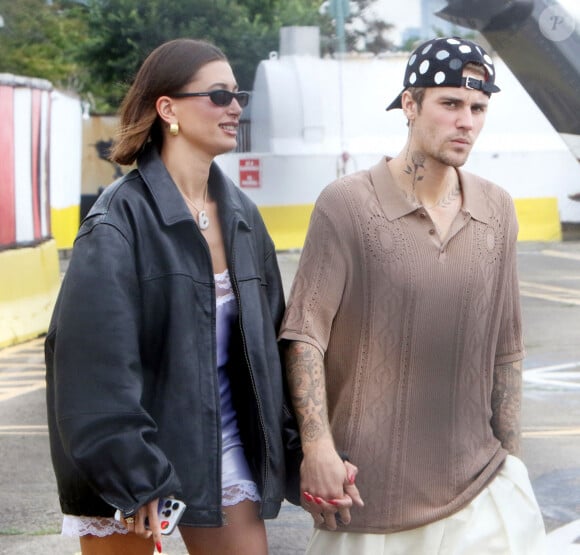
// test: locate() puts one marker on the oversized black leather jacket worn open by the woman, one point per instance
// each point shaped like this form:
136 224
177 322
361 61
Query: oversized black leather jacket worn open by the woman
132 392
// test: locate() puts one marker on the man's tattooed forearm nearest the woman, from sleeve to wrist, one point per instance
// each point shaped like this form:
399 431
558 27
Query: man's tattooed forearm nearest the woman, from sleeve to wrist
305 373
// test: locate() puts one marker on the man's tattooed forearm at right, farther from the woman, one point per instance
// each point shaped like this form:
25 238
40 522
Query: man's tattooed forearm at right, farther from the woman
506 400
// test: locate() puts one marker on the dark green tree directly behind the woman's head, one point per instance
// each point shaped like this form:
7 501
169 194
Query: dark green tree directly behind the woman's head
123 32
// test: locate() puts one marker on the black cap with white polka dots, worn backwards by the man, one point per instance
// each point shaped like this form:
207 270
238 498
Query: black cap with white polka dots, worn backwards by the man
439 63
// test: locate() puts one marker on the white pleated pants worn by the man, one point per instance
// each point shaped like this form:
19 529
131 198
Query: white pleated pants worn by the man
504 519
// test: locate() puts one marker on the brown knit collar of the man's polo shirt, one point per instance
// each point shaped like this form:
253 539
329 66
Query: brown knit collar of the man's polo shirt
395 205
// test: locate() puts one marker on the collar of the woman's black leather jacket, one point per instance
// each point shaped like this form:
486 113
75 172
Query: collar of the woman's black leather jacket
168 199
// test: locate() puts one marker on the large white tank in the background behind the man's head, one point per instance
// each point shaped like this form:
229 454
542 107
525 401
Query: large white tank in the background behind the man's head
306 111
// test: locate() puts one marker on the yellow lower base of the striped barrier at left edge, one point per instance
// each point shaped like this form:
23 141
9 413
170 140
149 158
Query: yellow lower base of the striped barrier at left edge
29 283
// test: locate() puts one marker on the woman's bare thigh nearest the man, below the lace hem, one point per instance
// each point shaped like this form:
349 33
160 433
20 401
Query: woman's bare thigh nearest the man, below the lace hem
244 534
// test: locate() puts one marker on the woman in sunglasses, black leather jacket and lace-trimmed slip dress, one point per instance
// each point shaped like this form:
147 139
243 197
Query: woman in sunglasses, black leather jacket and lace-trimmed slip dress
164 376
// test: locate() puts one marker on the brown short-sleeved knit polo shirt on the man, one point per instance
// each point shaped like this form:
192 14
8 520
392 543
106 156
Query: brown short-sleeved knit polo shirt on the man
411 329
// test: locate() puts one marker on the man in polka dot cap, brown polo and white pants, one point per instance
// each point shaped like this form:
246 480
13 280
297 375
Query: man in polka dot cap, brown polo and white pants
404 340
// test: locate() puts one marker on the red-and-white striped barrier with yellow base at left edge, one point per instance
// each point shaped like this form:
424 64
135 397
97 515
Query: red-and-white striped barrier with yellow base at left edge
29 273
